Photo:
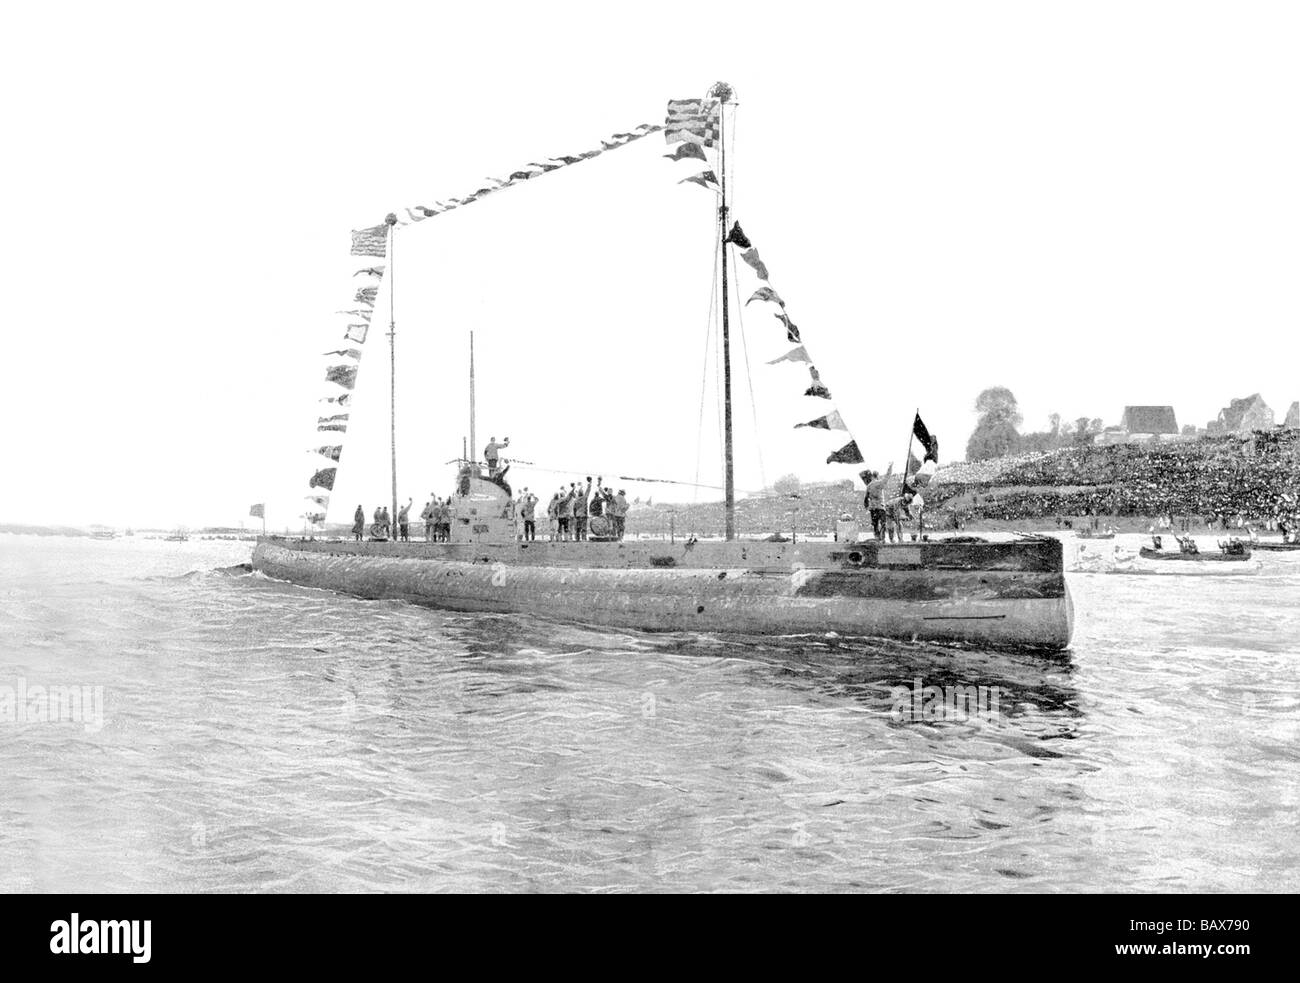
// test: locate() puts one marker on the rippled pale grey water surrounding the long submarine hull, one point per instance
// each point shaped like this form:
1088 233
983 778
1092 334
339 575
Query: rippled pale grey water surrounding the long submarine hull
259 737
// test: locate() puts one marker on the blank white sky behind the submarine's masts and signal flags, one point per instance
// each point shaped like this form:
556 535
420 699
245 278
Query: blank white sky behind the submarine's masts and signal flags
1093 205
